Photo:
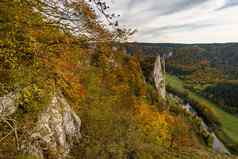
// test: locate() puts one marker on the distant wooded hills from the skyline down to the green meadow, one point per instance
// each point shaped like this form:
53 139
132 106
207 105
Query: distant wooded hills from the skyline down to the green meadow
210 70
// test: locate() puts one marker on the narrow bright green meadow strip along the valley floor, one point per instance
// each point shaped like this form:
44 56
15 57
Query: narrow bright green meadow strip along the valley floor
229 123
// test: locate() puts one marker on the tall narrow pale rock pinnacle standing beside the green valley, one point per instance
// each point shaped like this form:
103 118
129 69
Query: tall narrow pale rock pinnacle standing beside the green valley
159 76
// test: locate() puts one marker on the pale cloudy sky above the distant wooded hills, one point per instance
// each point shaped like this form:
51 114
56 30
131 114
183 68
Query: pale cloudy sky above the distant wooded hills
179 21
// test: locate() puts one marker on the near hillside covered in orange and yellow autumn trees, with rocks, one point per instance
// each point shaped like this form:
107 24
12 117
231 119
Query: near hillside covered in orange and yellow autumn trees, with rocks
67 93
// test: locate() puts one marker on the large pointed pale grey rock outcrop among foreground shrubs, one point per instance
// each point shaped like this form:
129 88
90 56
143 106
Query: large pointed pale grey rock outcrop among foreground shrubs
58 127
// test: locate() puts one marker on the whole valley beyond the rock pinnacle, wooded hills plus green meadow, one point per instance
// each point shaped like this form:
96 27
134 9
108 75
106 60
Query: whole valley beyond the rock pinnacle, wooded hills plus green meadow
195 73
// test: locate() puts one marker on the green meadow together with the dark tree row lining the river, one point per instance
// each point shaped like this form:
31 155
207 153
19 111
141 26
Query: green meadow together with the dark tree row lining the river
223 124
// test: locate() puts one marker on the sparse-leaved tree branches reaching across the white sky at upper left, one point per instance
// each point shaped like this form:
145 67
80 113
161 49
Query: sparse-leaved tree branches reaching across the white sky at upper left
80 17
